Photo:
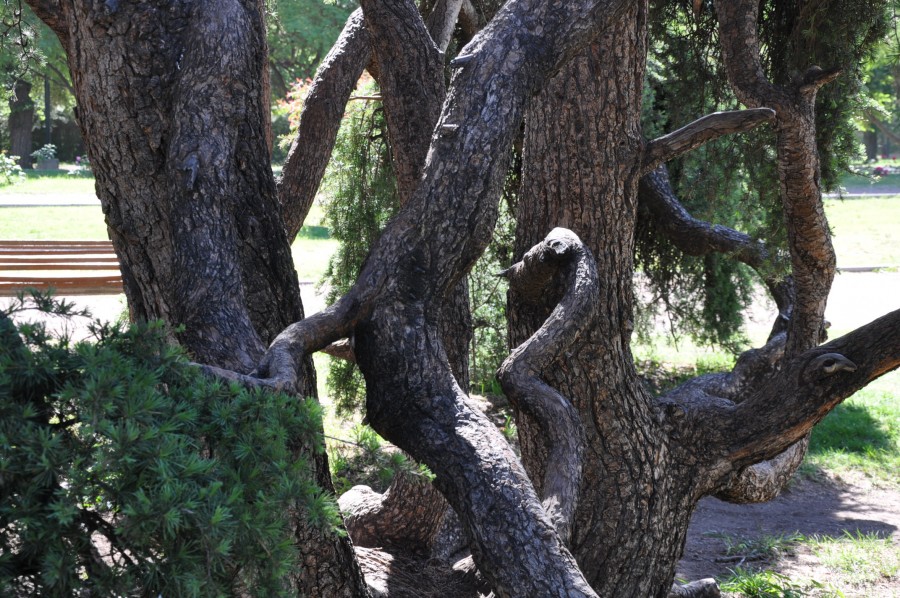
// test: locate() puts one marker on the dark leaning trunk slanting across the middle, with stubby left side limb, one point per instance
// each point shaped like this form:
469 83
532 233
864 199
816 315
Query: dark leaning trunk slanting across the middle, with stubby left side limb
393 308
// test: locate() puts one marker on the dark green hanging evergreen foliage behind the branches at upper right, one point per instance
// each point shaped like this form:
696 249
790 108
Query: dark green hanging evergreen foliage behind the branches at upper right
733 181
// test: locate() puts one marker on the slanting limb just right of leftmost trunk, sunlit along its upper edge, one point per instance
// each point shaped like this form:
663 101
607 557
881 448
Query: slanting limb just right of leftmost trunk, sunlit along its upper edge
320 120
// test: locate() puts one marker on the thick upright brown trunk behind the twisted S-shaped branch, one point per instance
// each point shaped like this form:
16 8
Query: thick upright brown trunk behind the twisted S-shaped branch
582 157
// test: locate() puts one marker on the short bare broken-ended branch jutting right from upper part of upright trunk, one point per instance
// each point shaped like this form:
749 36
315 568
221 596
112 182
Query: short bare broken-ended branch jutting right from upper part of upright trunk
704 129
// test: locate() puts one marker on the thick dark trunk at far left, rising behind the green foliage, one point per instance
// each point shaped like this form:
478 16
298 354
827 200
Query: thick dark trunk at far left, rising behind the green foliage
173 104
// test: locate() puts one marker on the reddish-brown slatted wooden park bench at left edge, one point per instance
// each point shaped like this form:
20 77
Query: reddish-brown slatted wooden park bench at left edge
68 267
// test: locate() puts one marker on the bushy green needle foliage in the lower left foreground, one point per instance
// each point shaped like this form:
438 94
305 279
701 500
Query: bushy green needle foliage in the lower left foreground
123 471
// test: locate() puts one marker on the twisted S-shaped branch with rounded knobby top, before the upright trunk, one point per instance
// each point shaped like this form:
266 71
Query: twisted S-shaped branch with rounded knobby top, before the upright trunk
563 251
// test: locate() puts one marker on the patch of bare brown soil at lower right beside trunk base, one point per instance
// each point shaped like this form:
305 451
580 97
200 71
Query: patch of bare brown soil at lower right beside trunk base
822 507
